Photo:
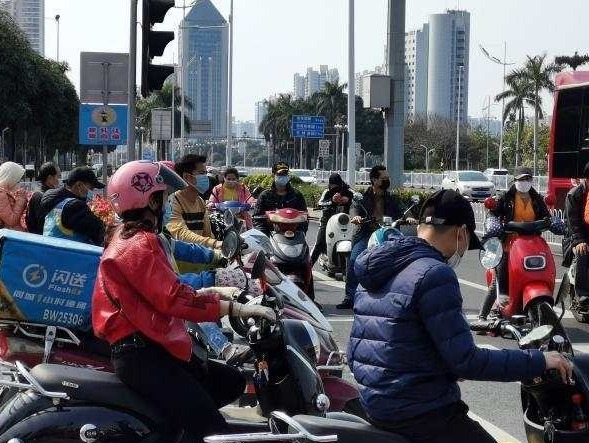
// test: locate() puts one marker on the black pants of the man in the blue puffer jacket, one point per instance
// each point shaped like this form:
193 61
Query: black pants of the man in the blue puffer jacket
449 424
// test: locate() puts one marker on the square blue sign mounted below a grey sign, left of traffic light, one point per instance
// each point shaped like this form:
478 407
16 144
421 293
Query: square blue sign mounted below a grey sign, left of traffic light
103 125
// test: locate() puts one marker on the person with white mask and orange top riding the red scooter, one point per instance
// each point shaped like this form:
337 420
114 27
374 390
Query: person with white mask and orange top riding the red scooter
521 203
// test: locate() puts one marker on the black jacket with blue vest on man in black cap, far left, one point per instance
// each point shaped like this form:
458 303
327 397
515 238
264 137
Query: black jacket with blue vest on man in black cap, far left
76 215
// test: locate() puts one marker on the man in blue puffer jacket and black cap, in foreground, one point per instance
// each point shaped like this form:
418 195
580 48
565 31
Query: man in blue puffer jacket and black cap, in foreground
410 342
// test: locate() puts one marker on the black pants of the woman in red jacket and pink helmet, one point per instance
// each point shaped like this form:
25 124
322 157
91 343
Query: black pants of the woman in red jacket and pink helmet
189 396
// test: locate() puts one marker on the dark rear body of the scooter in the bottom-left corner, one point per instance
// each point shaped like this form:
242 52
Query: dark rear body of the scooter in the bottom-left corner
27 416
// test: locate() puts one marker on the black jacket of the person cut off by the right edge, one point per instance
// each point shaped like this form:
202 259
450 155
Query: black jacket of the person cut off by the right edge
577 229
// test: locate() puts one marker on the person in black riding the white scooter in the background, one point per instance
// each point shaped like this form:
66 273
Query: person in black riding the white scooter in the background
336 198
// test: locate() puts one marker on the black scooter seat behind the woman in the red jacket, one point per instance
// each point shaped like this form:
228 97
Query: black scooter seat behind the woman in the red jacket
93 386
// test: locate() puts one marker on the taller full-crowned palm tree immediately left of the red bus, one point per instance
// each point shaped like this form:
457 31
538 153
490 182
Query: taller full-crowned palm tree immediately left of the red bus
539 76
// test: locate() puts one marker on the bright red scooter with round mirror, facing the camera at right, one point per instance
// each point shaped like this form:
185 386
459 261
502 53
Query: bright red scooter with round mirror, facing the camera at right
531 270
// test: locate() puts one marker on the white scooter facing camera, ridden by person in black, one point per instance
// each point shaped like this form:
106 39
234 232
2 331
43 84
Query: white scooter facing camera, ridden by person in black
338 238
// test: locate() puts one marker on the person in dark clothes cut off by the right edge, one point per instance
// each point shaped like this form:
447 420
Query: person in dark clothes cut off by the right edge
575 249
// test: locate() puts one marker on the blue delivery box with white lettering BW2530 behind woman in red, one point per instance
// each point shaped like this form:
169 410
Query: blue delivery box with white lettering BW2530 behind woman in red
47 280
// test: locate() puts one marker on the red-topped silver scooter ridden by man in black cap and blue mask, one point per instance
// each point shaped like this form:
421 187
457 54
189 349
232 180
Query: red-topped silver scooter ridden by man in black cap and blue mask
290 249
